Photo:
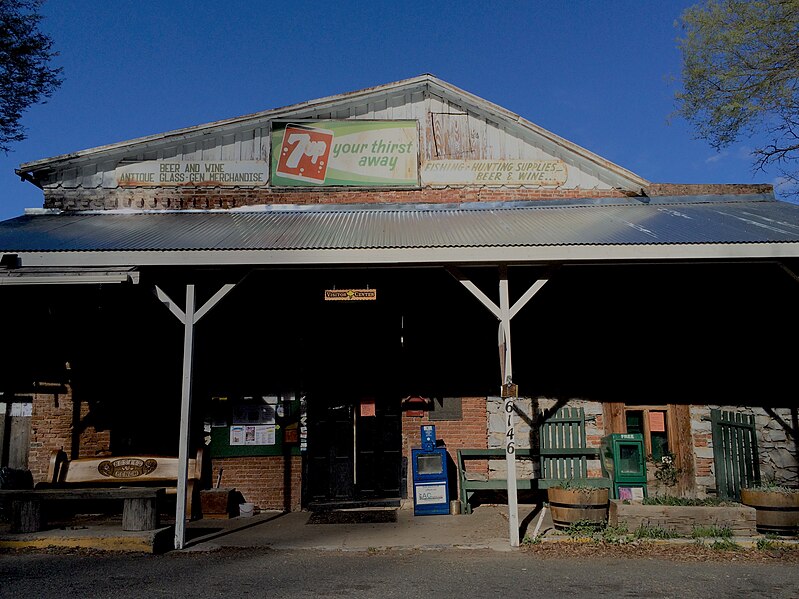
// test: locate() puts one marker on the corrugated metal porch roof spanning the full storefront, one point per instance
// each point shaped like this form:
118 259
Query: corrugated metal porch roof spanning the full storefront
727 220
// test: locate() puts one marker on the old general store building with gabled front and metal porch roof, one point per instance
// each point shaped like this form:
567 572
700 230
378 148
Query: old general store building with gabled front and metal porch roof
359 253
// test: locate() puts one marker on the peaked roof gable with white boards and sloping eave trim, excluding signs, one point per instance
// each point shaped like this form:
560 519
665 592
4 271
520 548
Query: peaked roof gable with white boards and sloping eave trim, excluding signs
492 132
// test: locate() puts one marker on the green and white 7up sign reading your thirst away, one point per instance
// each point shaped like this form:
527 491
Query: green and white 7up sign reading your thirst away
356 153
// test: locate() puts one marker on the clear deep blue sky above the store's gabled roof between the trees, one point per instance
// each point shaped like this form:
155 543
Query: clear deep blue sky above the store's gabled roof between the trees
601 74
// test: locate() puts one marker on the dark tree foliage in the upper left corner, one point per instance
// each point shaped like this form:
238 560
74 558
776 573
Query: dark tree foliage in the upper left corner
26 76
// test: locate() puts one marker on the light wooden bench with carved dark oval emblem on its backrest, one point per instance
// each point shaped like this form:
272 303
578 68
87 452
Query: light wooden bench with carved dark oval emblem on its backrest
114 472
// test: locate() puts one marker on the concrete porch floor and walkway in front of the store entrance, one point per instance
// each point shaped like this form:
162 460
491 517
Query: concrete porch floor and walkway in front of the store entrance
486 527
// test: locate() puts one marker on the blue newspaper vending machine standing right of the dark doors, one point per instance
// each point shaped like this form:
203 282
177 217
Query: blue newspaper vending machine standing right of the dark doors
430 486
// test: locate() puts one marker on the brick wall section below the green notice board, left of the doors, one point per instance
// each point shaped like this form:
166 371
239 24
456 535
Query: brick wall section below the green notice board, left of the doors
269 482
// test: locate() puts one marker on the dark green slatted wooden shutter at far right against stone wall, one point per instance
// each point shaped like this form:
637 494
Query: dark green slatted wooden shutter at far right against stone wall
734 453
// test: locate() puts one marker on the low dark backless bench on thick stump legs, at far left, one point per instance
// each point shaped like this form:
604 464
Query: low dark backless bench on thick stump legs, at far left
140 505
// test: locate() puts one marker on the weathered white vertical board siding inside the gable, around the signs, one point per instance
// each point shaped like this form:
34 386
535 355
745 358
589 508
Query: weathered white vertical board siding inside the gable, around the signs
447 131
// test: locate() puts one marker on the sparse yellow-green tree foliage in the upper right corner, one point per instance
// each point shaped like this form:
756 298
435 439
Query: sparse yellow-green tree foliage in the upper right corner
741 77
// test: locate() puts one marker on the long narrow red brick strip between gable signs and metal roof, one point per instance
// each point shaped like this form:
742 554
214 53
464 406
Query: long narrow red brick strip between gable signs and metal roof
204 199
